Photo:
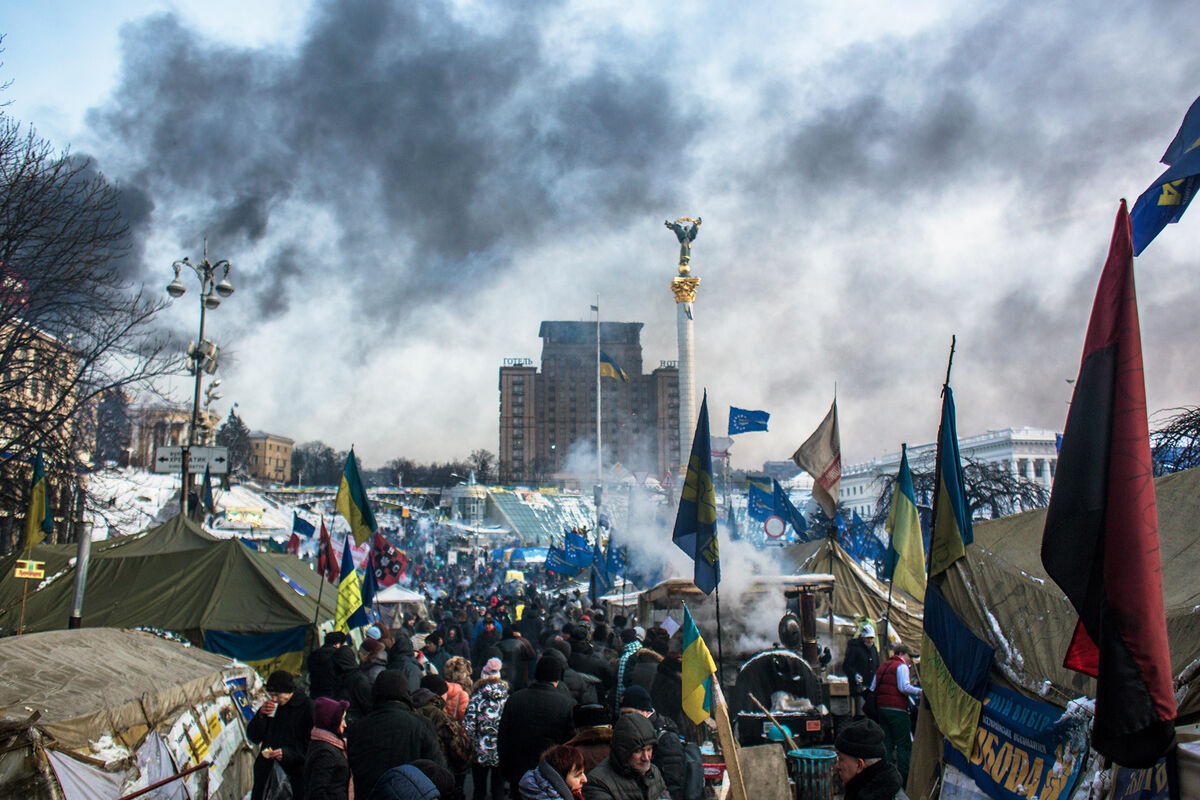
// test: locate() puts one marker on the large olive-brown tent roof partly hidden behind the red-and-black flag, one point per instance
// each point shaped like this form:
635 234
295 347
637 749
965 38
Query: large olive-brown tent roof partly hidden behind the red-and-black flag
1005 596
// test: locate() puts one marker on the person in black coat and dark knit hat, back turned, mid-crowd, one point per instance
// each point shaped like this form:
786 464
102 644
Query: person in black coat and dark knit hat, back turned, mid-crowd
535 719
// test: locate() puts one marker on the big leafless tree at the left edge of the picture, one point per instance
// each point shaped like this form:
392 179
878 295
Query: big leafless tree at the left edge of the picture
71 329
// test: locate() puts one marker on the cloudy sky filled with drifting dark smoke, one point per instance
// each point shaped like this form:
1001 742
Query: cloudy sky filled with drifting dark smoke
407 189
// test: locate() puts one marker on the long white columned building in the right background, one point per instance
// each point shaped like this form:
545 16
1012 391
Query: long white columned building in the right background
1030 453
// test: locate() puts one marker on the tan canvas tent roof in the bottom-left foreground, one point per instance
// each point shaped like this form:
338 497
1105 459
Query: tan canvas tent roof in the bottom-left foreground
95 682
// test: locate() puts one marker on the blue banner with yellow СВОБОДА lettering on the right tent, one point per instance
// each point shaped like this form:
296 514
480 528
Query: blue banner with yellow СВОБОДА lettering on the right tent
1016 755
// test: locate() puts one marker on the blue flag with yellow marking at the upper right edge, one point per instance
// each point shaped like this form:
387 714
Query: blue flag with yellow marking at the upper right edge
1168 197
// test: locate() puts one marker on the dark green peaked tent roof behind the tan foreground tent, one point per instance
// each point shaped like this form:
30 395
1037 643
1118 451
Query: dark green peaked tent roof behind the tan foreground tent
173 578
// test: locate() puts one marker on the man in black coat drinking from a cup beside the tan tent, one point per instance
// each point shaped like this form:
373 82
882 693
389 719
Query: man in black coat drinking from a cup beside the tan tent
281 726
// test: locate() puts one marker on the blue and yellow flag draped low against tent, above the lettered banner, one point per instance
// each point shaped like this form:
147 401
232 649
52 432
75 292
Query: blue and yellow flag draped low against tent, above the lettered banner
955 666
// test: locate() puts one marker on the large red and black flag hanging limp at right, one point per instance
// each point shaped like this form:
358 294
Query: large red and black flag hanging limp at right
1101 540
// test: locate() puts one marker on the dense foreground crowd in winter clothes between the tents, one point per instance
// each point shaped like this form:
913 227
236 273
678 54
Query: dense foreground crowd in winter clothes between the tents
539 697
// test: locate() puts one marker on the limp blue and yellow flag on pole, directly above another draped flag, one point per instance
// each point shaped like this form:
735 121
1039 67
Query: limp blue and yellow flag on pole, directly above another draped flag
952 521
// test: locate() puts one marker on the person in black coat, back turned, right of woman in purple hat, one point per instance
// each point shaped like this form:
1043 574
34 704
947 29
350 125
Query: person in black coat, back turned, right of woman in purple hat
391 736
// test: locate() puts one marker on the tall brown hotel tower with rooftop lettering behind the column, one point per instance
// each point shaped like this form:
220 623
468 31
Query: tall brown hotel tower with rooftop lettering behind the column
550 414
